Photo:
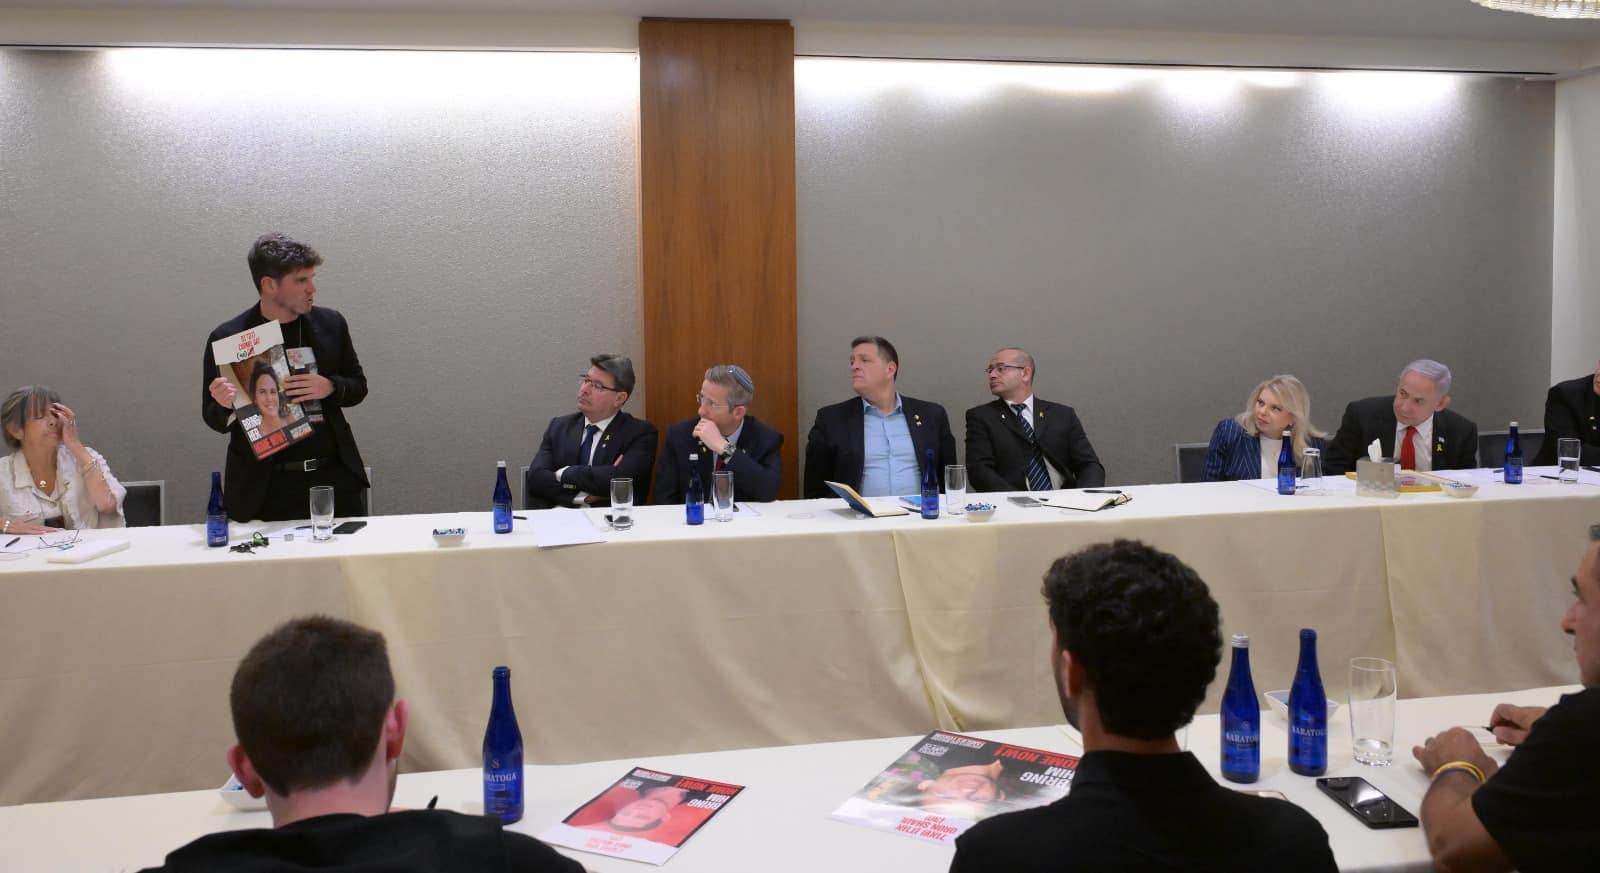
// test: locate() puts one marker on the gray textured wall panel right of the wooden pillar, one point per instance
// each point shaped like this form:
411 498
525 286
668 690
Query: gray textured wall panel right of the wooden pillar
1162 241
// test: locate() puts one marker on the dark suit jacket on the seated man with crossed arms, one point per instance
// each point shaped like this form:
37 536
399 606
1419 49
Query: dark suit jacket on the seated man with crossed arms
628 448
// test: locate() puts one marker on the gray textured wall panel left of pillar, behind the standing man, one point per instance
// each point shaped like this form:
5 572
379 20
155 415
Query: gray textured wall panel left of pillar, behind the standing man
478 215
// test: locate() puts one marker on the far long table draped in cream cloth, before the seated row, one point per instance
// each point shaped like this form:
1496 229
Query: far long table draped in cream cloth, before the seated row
798 623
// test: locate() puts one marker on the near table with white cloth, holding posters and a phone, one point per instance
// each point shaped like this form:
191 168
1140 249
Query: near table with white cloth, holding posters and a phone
782 819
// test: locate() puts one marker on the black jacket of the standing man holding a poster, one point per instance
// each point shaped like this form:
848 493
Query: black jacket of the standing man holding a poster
329 337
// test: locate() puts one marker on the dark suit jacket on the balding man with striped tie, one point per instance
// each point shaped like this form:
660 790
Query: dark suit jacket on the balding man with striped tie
998 453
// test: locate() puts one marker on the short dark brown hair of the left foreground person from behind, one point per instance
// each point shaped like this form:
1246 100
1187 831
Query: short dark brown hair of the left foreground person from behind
310 703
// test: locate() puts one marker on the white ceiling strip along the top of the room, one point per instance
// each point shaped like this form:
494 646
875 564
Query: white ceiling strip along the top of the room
1446 20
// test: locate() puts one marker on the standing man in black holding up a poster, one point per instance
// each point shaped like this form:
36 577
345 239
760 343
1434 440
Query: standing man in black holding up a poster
316 375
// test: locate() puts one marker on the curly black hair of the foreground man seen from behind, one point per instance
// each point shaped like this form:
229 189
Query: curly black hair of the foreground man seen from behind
1145 629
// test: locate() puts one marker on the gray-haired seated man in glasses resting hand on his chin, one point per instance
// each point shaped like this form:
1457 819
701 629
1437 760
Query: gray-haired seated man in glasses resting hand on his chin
726 437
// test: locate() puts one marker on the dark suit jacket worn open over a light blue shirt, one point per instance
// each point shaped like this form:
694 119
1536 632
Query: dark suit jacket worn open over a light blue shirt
834 450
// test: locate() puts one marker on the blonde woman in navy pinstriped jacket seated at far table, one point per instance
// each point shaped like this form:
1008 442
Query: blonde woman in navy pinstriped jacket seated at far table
1247 447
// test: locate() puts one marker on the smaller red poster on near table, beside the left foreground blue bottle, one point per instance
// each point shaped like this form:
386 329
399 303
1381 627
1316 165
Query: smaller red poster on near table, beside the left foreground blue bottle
644 816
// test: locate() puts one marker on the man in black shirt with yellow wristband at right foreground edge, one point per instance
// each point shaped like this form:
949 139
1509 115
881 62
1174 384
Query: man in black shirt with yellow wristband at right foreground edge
1542 811
